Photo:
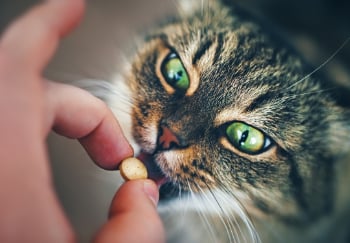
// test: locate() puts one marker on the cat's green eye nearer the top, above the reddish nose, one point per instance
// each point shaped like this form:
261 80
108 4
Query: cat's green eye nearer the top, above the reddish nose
175 73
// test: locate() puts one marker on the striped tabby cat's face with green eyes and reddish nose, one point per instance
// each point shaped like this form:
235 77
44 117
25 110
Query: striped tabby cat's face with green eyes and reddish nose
221 107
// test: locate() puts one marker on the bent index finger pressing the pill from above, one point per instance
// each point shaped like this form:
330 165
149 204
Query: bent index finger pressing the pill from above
75 113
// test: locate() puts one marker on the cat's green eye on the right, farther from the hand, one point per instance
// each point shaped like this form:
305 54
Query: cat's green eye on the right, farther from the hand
246 138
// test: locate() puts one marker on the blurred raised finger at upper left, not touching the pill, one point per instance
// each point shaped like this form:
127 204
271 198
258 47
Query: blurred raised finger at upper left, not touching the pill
31 40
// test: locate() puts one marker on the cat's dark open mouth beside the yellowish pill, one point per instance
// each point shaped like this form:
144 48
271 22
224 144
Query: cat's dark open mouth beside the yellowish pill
167 188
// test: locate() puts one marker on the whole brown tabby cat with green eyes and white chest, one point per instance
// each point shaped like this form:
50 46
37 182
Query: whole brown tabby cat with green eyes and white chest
245 140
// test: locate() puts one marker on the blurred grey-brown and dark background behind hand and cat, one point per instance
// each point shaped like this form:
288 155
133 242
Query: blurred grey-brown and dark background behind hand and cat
101 43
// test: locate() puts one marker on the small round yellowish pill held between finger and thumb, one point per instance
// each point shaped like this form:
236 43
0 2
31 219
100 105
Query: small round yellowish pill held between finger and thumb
132 169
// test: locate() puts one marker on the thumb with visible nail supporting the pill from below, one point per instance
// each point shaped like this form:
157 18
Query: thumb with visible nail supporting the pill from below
133 215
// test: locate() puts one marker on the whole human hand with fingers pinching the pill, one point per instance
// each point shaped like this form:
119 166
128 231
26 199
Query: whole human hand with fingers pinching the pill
30 106
